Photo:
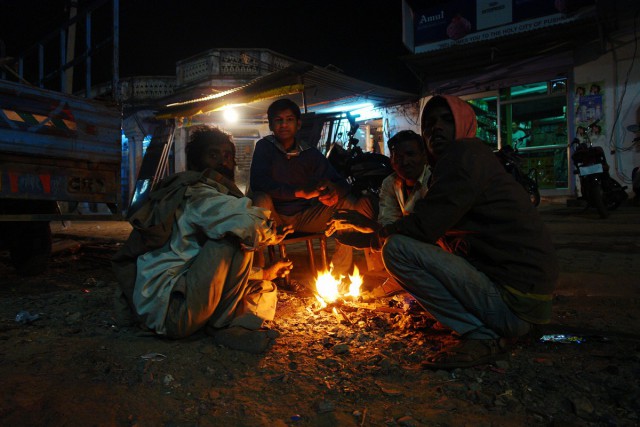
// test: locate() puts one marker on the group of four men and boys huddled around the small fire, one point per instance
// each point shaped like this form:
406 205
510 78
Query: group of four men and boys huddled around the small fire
454 230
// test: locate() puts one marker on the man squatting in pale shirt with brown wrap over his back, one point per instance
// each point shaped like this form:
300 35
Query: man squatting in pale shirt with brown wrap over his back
199 274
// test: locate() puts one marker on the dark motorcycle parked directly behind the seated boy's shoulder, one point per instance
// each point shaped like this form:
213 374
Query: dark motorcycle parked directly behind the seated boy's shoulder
365 171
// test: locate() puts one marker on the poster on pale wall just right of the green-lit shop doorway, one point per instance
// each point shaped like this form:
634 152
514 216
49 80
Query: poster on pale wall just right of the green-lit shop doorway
589 112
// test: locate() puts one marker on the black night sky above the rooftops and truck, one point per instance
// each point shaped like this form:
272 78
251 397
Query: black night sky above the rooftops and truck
361 38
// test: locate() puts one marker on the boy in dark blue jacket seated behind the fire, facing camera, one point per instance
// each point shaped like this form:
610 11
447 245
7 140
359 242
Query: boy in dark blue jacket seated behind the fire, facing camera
297 183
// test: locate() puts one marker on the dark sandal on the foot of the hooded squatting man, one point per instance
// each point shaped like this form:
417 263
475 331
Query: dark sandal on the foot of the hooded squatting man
468 353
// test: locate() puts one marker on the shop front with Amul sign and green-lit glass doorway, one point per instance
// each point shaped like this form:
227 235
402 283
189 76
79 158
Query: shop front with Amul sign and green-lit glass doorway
537 77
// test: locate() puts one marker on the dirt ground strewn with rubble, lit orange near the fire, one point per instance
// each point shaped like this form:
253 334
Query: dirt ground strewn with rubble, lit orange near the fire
73 366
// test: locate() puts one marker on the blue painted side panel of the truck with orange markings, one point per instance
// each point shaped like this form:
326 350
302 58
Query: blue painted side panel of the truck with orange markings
58 147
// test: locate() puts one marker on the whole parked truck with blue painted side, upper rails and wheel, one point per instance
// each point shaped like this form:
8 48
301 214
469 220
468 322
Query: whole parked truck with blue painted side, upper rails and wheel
58 151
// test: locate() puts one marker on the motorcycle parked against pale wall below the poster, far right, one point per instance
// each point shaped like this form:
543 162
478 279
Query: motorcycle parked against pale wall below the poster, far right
597 188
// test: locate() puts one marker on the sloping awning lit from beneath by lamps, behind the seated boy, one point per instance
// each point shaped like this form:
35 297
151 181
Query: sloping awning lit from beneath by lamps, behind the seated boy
321 89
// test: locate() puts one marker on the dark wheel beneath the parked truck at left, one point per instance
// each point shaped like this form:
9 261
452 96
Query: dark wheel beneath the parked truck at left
30 247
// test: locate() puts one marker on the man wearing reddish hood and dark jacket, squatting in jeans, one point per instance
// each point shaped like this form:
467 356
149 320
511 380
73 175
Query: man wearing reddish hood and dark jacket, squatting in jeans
474 251
